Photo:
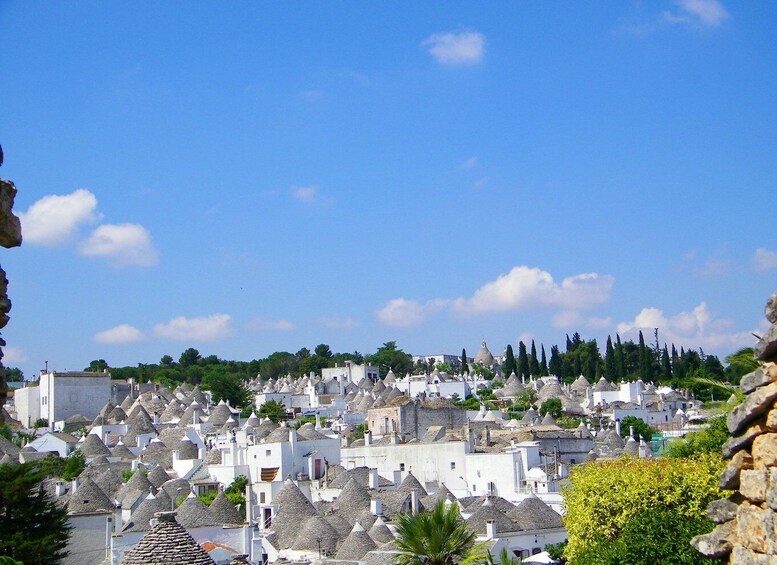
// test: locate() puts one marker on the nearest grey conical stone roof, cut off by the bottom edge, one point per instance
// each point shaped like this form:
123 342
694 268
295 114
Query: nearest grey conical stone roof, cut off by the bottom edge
167 543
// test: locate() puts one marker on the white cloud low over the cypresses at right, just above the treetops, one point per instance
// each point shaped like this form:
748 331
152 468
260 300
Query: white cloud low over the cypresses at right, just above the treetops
697 328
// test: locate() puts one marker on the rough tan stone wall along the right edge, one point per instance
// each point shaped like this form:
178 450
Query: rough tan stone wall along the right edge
746 530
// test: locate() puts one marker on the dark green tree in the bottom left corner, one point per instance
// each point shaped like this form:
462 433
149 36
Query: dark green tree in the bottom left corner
34 528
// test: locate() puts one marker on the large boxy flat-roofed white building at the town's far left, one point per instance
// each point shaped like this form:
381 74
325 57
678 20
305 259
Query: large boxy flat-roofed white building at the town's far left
66 394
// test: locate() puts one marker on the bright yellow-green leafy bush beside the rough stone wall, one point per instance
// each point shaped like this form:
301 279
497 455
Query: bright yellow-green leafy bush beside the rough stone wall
610 504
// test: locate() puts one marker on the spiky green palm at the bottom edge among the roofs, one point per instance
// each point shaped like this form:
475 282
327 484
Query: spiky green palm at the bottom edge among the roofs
436 537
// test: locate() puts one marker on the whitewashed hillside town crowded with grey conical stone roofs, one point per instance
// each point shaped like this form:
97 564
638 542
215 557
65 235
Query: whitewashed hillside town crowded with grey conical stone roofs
333 487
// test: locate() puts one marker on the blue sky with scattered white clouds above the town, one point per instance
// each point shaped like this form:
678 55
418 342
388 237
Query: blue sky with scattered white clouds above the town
246 178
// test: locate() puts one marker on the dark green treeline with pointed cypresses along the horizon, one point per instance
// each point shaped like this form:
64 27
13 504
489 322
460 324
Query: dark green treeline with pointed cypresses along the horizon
621 360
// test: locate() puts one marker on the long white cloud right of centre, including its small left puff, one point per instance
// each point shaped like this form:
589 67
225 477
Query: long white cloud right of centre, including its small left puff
522 288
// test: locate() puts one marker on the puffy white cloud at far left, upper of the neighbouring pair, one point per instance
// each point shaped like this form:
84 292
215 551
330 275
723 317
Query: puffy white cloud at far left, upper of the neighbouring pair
55 219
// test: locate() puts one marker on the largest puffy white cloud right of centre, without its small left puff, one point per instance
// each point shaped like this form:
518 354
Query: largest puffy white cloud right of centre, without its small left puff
529 287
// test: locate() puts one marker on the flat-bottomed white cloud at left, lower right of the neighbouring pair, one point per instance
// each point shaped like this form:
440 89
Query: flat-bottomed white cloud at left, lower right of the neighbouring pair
124 244
